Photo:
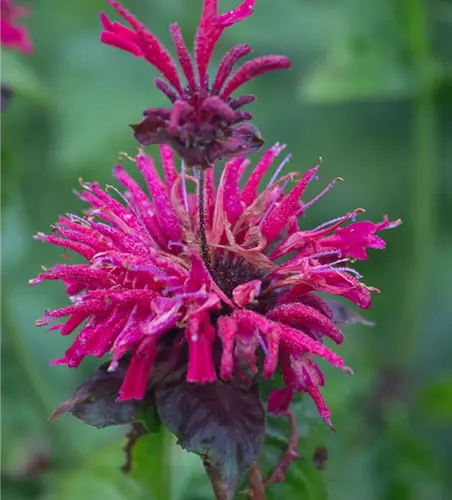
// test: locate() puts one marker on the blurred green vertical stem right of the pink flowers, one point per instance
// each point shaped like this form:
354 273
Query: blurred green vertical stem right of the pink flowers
424 183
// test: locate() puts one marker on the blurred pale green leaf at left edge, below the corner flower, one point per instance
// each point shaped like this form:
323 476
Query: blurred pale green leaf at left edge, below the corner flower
21 79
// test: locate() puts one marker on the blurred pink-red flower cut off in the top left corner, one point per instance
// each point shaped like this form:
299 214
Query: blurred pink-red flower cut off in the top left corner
11 34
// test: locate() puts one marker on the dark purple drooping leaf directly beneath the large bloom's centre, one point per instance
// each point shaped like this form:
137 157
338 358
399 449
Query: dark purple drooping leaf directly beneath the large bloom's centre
223 423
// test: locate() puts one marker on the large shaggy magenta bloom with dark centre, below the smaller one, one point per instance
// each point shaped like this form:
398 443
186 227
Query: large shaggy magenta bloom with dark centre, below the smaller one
144 284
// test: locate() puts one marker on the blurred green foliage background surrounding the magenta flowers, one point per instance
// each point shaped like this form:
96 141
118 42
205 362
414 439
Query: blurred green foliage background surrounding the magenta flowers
370 92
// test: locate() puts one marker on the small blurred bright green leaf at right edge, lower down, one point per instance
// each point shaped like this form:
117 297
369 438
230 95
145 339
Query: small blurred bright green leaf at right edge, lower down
435 399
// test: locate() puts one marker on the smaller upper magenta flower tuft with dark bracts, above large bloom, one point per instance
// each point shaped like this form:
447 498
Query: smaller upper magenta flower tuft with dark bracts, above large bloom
205 122
